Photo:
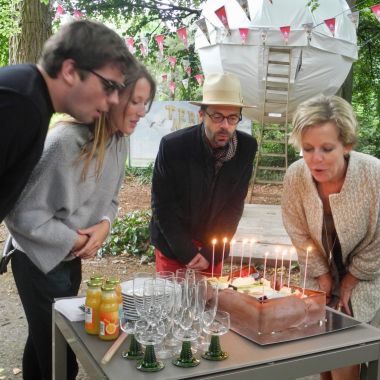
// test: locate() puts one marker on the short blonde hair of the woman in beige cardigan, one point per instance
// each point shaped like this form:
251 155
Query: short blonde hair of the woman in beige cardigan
320 110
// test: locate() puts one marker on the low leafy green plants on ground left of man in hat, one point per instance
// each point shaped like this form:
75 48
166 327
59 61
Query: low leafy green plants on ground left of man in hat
129 234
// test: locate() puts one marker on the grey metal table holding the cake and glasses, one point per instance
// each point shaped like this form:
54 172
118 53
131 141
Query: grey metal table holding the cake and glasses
247 360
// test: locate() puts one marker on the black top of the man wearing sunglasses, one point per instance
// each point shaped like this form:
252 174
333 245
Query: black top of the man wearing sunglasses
25 112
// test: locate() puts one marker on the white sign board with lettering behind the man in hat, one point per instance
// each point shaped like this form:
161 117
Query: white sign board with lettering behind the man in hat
164 118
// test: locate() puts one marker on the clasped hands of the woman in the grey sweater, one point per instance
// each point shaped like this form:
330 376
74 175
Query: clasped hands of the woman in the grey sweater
96 235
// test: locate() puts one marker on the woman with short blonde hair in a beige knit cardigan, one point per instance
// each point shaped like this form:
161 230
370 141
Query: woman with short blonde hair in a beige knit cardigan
331 202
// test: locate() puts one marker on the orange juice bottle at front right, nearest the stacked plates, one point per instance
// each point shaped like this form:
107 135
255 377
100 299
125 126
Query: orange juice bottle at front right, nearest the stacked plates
109 313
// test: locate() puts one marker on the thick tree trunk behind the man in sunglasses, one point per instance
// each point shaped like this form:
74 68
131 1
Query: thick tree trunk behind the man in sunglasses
35 28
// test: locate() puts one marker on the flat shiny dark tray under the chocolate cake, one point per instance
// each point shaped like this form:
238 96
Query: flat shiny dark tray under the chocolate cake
334 321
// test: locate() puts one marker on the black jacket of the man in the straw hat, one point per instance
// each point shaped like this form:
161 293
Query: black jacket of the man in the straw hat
190 201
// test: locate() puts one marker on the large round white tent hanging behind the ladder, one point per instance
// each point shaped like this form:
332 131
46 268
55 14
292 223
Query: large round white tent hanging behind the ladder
320 60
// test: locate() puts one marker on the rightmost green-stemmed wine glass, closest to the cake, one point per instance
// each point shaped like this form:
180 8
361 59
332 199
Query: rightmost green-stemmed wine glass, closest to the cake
219 325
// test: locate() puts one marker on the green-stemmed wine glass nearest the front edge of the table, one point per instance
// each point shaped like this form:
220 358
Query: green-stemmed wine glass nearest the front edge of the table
149 335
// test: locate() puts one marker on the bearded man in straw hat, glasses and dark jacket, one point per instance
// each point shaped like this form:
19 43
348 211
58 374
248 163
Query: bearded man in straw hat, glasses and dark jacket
200 181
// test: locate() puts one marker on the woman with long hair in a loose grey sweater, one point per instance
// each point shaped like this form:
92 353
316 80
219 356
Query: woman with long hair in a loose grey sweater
65 213
